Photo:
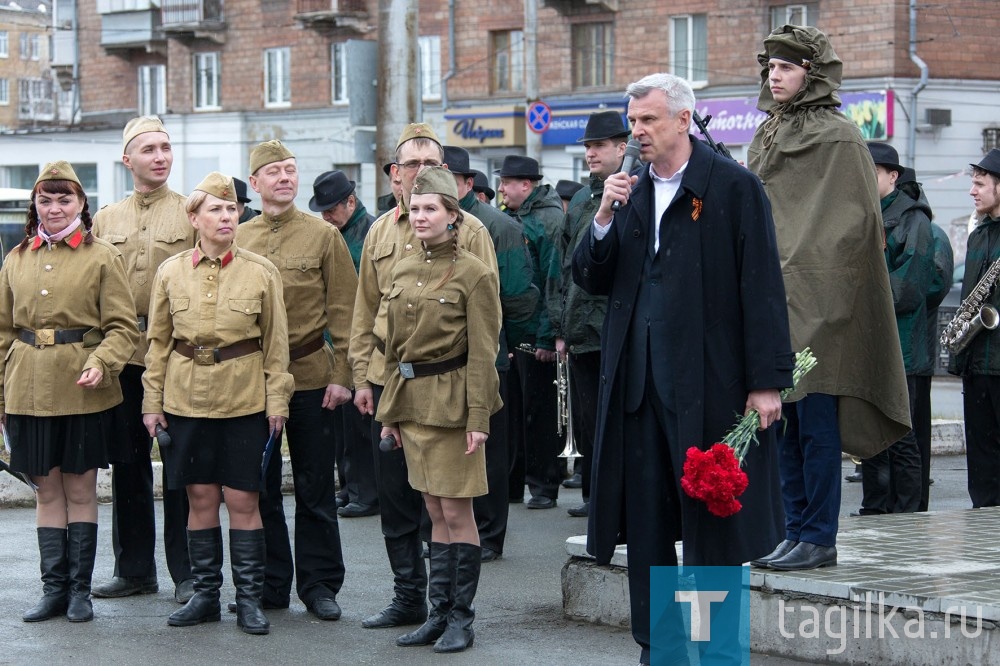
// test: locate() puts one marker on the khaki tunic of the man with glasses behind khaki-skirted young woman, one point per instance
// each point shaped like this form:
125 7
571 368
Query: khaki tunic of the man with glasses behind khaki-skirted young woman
390 240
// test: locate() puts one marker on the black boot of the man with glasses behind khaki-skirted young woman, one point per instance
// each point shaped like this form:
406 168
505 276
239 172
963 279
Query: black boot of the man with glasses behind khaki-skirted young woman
409 585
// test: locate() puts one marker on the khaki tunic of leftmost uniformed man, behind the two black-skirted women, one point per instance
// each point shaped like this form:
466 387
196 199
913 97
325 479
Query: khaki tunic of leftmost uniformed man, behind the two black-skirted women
147 228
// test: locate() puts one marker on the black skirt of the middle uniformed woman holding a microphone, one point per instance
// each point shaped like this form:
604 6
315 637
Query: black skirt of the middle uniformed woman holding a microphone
227 452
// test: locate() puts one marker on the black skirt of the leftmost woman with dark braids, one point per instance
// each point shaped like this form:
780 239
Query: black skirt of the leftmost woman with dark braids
75 443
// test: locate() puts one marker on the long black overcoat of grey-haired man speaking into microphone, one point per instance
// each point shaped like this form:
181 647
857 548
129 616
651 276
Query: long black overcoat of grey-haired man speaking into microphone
724 302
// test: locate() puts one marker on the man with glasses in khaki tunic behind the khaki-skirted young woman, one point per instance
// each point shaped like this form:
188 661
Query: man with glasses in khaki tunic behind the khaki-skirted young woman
390 239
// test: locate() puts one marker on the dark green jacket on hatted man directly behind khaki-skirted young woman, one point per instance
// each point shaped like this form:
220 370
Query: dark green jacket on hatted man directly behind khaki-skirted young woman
518 296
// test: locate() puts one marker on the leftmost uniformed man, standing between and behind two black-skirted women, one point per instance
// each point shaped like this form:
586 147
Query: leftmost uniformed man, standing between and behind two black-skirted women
147 227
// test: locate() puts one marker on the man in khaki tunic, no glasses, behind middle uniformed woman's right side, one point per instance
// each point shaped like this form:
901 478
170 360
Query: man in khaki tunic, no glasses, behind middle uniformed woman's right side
318 282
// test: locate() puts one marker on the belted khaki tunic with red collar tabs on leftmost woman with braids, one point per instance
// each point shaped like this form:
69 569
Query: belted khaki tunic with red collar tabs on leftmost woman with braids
68 285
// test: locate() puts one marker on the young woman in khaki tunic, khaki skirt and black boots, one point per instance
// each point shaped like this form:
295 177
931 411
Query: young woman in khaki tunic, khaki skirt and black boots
442 339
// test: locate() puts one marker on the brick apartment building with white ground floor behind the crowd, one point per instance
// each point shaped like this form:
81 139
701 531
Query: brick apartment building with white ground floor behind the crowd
226 74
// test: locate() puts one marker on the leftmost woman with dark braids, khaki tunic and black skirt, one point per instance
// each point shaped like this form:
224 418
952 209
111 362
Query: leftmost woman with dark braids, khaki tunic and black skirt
67 327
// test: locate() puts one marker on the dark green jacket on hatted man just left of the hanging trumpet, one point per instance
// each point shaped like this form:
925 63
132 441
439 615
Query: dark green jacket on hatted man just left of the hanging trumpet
541 216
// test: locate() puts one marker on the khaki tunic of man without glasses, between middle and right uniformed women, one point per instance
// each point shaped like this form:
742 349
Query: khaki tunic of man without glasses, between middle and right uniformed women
319 281
